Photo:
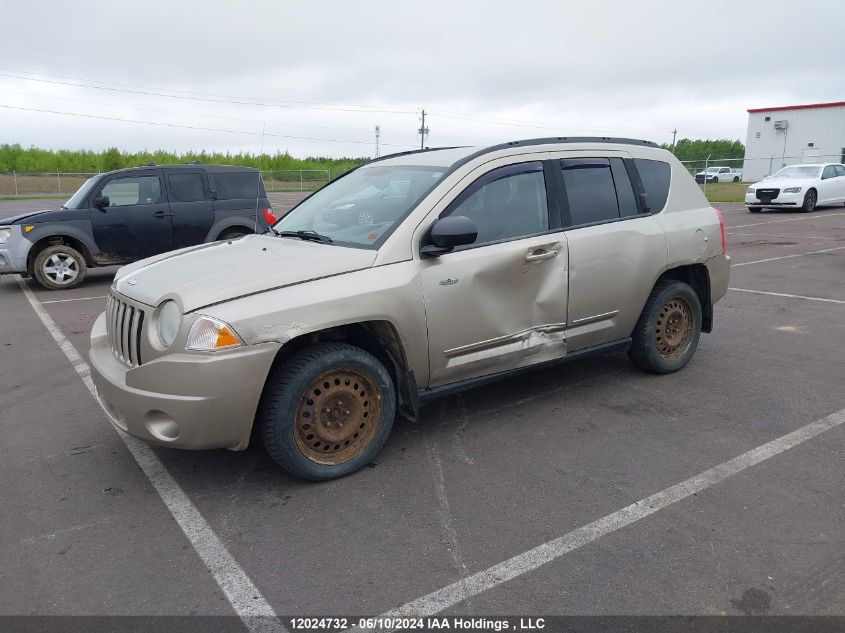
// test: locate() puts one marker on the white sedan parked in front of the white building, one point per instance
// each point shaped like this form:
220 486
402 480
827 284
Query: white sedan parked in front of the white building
803 187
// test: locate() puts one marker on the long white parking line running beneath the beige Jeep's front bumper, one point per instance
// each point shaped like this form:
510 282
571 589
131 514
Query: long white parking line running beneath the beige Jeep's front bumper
252 608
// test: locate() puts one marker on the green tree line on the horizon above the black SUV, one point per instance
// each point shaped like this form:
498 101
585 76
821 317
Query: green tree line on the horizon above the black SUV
34 159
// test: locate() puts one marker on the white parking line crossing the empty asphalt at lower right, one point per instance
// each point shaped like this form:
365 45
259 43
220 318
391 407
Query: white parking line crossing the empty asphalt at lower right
520 564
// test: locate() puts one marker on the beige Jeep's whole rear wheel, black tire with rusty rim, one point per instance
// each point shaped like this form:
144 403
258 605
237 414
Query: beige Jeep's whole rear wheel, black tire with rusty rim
658 345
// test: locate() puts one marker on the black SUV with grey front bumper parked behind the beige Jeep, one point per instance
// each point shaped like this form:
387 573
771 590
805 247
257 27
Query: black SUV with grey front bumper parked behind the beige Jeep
126 215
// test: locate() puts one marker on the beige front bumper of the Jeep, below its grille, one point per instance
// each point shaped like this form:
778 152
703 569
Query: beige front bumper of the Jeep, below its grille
182 400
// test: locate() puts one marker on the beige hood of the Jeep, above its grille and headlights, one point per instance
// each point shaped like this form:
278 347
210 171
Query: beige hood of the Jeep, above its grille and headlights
211 273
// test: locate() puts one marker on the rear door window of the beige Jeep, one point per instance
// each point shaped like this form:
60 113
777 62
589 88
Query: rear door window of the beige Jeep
589 190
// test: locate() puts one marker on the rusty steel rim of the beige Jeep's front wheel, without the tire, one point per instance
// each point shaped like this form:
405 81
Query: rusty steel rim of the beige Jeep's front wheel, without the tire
337 416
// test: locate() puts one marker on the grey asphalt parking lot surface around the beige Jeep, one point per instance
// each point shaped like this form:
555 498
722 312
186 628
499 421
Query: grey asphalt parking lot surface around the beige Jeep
482 479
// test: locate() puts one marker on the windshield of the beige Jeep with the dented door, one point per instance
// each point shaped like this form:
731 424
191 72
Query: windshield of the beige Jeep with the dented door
362 206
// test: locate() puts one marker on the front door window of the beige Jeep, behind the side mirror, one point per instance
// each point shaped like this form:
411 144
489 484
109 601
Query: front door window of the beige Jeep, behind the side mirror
505 203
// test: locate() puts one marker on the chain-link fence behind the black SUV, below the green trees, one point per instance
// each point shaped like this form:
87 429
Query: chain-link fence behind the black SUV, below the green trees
60 184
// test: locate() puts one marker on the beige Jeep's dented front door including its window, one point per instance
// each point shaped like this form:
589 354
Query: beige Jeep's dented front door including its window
501 302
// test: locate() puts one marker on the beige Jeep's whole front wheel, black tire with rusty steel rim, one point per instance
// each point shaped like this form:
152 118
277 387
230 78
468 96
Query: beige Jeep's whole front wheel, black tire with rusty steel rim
304 423
